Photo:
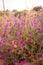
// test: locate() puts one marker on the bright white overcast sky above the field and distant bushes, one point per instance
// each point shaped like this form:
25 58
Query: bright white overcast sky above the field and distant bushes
20 4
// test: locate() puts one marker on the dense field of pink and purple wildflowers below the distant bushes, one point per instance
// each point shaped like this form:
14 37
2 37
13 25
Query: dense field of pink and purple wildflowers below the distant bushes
21 39
